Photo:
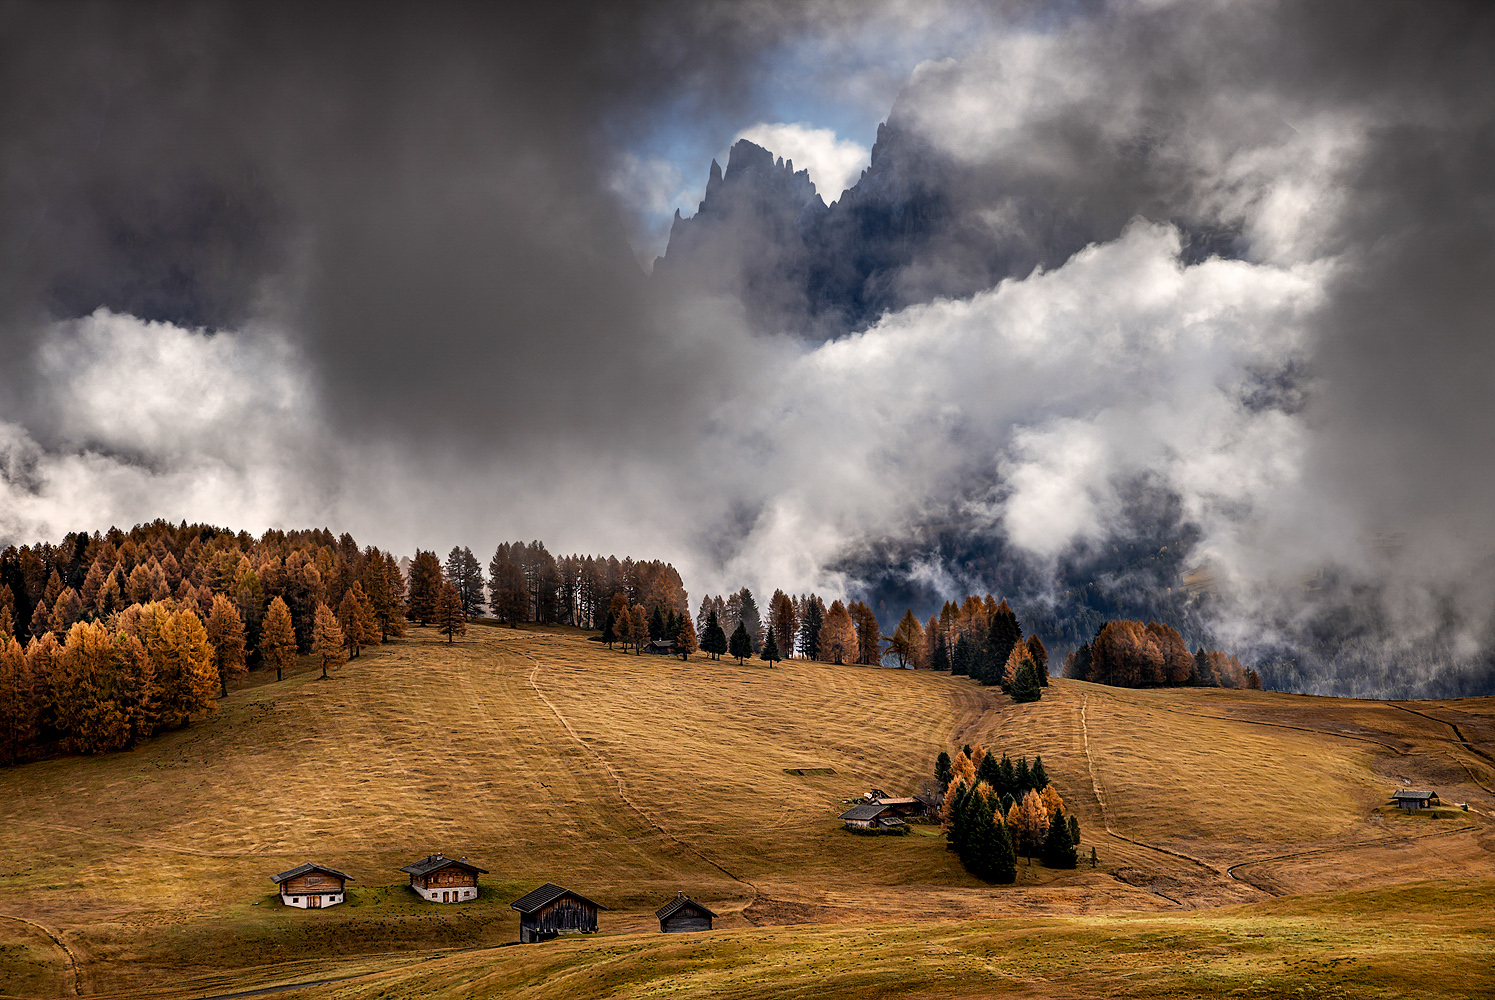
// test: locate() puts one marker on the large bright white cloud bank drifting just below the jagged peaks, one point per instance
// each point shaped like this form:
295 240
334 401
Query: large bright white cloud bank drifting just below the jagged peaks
1119 364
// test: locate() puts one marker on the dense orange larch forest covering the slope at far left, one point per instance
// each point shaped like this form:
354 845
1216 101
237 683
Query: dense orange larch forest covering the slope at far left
256 602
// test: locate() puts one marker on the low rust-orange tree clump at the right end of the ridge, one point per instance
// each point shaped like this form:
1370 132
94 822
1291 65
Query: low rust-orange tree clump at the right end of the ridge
1134 655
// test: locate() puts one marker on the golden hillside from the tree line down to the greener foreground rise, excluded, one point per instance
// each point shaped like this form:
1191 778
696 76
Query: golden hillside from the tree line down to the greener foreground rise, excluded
545 757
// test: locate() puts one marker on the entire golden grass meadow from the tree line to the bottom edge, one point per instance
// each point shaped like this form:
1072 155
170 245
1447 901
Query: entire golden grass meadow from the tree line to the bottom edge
1245 841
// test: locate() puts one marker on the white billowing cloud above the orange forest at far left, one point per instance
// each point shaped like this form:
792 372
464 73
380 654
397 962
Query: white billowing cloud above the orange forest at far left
143 421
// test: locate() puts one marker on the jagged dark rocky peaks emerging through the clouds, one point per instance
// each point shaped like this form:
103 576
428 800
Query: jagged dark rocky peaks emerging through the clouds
916 226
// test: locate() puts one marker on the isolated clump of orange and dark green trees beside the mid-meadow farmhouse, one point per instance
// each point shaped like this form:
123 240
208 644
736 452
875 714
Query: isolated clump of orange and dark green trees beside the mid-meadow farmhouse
995 811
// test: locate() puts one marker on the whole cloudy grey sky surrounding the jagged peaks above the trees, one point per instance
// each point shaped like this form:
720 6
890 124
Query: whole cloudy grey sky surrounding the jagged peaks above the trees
383 268
